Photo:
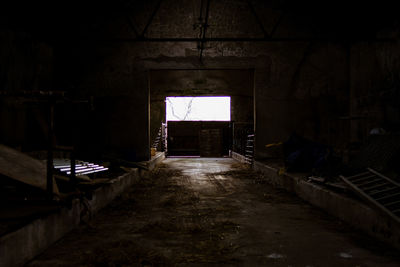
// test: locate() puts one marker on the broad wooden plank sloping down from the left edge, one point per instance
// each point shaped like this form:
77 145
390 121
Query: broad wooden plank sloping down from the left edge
23 168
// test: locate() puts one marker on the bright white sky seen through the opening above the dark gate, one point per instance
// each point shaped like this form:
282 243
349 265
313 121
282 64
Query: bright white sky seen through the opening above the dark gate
203 108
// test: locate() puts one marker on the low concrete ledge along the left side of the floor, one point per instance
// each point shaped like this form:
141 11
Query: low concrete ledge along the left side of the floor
18 247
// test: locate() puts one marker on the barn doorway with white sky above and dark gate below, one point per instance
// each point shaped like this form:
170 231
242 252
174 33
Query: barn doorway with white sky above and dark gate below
198 126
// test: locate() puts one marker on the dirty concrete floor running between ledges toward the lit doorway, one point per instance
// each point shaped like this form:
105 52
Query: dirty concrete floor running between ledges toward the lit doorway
213 212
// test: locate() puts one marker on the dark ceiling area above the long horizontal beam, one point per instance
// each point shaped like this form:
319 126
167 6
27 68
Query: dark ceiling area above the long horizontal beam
133 20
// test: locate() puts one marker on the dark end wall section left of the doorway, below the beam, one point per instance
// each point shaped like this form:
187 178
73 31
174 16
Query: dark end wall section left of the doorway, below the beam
117 122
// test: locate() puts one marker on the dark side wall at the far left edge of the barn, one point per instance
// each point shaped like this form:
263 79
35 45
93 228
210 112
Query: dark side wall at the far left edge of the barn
26 64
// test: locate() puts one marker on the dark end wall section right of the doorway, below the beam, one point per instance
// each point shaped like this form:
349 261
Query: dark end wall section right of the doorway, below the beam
304 90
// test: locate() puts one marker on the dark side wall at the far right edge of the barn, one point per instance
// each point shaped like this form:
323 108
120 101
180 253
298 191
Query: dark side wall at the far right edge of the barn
375 88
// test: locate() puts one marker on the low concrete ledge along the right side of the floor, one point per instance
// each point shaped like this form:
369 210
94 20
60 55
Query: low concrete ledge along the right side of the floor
354 212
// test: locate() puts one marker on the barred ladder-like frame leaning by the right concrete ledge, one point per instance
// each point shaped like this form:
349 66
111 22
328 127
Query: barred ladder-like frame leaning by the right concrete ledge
378 189
